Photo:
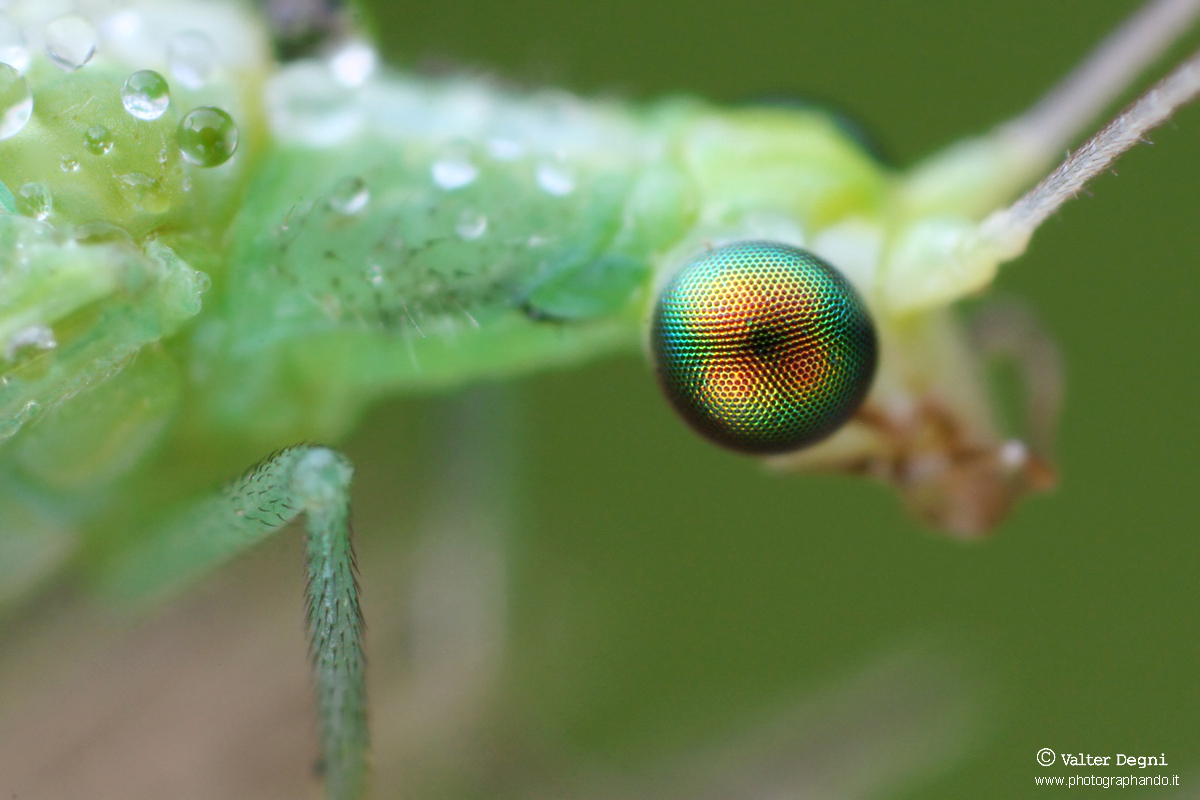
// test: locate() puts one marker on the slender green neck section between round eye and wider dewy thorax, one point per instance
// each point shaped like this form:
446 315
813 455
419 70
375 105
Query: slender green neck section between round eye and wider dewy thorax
542 257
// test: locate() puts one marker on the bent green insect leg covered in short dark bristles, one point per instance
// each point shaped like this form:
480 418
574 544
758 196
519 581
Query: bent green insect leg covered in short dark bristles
307 480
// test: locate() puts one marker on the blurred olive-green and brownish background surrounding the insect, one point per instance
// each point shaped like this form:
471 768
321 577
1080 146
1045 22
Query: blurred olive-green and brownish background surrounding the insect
569 596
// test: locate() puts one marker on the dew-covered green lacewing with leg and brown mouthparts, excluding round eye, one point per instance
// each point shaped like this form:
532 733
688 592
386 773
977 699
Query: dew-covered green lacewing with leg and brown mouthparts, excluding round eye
145 360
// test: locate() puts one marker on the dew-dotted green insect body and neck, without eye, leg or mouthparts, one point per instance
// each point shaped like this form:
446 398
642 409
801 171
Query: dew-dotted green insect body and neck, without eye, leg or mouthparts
404 236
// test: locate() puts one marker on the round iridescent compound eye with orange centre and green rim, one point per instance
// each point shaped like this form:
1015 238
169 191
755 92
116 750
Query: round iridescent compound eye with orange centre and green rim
763 347
